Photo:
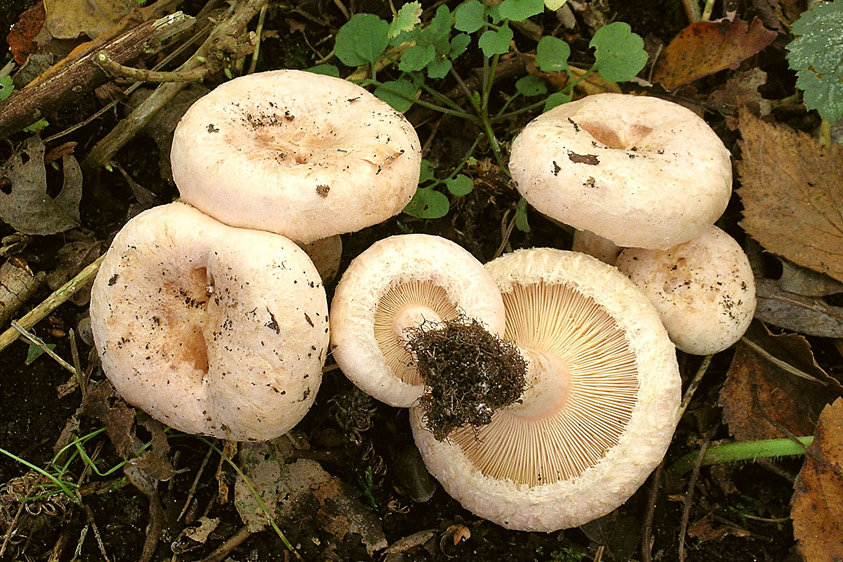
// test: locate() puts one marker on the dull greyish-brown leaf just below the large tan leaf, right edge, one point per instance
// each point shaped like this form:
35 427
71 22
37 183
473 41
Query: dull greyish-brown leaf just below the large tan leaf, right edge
806 315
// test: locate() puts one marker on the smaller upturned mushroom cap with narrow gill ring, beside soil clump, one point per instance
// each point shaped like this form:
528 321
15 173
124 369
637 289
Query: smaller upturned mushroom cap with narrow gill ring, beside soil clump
398 282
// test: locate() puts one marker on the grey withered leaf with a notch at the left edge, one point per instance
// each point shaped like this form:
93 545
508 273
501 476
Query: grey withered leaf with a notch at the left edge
24 202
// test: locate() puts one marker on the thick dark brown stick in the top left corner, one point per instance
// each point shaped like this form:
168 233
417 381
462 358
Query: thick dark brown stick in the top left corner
24 107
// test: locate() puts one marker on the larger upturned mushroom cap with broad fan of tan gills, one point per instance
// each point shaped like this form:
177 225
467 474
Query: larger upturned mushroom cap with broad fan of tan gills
590 451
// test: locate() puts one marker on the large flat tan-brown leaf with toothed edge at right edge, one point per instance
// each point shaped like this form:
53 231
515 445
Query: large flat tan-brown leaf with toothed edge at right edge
792 195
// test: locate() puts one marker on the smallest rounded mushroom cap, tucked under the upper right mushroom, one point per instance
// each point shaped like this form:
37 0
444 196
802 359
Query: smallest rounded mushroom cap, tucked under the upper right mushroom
703 289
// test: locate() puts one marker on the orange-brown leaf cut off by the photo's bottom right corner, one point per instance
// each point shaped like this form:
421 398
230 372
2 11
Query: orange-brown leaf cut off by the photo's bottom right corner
817 509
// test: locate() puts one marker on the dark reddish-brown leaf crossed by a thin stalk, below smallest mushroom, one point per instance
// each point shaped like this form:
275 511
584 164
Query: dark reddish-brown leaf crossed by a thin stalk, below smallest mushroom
756 388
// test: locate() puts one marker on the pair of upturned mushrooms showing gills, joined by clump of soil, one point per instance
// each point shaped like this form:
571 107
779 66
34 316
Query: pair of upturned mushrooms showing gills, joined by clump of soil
598 407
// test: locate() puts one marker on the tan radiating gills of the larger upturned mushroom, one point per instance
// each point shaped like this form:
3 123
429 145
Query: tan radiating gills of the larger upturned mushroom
593 354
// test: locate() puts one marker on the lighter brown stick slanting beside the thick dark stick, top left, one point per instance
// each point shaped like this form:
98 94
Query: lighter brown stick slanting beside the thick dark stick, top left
225 39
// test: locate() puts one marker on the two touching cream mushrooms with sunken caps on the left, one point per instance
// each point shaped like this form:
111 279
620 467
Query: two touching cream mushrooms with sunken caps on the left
206 313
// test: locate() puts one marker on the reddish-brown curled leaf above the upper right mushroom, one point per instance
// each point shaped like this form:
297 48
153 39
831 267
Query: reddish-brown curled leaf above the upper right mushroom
707 47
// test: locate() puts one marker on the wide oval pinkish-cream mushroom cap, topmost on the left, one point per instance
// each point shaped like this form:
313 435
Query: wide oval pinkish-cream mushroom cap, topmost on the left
296 153
